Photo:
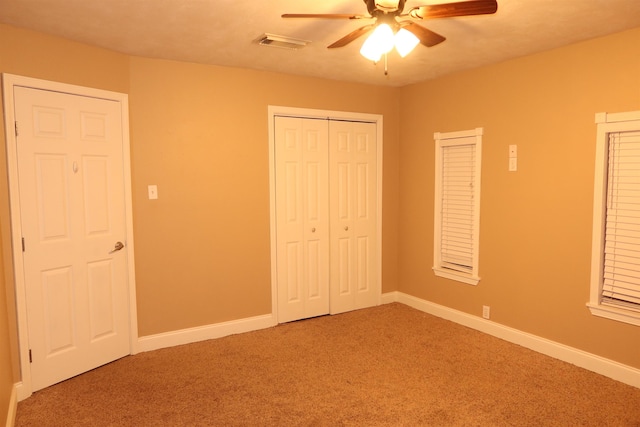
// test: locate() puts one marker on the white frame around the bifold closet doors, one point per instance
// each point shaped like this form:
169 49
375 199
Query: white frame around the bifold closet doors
274 111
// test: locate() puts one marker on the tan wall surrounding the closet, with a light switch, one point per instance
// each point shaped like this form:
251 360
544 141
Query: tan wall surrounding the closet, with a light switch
200 134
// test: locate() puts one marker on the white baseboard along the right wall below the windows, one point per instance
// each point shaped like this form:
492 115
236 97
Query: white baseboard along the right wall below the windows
609 368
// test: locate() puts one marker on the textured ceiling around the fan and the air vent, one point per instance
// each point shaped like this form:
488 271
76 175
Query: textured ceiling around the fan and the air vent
223 32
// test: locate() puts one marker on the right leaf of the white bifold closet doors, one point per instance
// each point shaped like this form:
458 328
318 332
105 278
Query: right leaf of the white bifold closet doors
353 207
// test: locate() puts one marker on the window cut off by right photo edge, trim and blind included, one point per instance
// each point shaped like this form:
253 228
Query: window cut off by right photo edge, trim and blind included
615 261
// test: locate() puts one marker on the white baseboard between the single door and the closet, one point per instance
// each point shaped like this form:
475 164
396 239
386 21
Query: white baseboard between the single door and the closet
202 333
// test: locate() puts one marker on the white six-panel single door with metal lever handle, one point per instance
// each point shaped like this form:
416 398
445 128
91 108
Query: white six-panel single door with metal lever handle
71 185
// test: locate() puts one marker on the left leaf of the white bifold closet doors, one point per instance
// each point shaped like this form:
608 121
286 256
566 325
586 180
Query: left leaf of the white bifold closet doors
302 223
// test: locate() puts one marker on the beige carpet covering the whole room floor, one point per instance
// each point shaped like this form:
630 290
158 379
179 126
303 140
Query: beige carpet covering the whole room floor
385 366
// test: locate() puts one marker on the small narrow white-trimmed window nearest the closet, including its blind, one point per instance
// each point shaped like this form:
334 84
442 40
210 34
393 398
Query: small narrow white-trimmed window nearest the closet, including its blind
457 205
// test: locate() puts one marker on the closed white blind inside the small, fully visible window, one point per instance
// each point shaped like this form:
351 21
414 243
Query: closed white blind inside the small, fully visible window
457 221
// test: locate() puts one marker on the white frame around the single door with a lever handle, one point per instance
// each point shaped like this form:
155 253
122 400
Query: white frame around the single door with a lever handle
24 387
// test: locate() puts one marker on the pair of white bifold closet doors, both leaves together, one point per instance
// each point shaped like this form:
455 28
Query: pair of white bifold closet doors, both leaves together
326 242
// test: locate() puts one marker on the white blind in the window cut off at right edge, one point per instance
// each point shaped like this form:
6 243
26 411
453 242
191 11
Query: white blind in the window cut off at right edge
621 278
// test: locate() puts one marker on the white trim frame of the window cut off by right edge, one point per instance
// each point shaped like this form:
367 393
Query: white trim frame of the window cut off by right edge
607 123
